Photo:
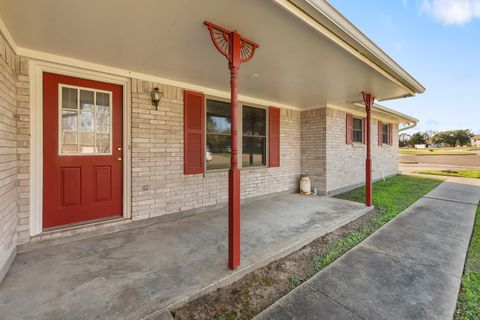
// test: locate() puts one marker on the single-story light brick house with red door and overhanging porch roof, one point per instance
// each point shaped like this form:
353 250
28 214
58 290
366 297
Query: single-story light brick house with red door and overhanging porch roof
81 141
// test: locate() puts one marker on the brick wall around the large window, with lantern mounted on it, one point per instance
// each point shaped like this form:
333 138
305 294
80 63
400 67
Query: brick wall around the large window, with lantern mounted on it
158 184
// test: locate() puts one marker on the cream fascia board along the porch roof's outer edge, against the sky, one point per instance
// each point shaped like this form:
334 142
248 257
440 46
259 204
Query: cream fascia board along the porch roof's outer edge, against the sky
289 6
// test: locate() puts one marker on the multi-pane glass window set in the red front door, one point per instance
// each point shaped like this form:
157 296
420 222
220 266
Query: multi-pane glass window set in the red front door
85 121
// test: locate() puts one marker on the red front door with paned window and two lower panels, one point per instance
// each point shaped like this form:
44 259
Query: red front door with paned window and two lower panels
82 150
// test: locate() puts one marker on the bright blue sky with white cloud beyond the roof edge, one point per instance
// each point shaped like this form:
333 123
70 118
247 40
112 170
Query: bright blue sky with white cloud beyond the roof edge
438 43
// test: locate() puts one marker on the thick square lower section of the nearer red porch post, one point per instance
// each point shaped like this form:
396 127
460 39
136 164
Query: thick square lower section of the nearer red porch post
233 218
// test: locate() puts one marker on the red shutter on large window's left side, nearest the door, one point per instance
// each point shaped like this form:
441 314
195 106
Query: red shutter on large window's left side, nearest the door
194 130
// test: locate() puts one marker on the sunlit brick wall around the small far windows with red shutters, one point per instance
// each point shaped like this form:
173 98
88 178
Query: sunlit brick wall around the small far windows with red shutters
346 163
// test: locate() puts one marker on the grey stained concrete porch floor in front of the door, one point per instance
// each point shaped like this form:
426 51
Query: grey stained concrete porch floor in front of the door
133 273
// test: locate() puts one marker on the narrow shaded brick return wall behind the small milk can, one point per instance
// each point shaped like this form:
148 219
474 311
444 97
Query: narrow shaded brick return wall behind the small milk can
313 147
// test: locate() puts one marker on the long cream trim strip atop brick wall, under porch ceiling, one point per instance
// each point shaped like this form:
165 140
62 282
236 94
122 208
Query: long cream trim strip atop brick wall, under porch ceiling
48 57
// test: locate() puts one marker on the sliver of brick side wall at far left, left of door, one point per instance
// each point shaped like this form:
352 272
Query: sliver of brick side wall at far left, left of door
8 155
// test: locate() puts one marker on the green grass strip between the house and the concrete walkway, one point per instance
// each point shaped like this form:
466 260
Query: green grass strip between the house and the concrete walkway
390 197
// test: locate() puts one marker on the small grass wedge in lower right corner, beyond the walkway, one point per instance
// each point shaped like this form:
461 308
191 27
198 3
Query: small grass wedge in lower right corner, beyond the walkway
468 306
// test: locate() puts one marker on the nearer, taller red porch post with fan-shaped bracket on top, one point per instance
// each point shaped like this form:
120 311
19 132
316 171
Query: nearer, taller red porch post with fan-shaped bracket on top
237 50
